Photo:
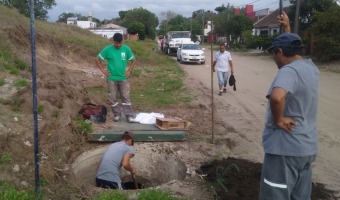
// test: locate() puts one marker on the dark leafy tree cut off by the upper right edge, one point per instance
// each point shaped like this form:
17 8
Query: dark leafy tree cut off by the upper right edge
326 29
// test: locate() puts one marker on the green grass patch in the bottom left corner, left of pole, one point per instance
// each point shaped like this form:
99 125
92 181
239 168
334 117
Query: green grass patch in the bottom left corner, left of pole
9 192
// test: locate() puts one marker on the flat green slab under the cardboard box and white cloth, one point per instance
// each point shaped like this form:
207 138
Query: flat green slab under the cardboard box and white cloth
143 133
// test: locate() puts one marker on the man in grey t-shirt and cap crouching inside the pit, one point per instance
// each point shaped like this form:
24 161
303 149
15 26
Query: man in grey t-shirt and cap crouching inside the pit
117 155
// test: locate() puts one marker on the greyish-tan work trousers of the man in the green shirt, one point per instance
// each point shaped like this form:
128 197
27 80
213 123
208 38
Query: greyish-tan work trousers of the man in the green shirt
123 89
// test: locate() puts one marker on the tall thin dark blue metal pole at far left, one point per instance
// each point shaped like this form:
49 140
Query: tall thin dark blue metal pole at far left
35 101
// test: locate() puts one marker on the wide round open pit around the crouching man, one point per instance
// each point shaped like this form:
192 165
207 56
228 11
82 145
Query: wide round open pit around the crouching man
155 165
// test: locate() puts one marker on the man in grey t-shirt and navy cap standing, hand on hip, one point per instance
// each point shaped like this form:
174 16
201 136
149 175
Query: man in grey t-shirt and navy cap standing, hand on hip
290 134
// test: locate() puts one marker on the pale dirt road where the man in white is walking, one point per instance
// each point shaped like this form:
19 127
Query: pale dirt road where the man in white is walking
244 110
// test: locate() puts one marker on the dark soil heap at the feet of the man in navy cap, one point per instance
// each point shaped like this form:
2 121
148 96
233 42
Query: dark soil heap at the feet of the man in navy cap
239 179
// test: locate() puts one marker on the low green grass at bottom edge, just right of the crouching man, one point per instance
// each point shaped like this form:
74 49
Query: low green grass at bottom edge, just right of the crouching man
155 194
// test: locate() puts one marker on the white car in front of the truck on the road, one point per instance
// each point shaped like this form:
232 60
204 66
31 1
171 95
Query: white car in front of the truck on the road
190 52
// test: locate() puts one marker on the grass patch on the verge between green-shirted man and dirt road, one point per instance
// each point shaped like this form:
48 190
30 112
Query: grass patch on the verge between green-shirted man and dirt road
160 85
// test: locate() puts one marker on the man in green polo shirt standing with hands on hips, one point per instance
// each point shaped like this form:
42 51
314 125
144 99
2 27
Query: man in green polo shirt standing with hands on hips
117 72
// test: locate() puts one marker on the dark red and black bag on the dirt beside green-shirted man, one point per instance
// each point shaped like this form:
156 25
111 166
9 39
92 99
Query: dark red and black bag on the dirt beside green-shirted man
93 112
